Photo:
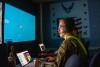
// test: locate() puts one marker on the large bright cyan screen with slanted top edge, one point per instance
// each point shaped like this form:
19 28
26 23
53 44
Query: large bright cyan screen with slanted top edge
19 25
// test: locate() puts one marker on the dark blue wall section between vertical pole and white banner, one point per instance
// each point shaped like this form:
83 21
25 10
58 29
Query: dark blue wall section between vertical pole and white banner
48 42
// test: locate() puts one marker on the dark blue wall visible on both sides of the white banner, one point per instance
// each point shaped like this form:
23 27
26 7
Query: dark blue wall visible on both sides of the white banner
94 9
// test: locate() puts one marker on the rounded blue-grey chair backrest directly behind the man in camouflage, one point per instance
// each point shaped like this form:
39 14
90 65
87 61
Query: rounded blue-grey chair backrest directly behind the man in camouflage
74 61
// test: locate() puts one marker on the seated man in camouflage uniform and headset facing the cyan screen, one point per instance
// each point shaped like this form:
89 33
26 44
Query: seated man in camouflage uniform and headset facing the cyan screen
69 46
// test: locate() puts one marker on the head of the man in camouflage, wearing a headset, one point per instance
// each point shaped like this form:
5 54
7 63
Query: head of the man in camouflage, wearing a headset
65 26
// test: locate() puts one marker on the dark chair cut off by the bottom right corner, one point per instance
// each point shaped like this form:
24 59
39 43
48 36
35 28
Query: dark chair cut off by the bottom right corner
95 60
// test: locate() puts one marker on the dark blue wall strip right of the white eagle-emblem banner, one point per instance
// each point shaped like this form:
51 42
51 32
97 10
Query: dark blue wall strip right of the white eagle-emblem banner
94 15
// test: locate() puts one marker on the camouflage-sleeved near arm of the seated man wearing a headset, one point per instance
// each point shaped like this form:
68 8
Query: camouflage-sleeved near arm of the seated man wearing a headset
63 54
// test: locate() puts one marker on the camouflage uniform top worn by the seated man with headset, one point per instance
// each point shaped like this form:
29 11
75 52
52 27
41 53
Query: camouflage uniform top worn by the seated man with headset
68 47
